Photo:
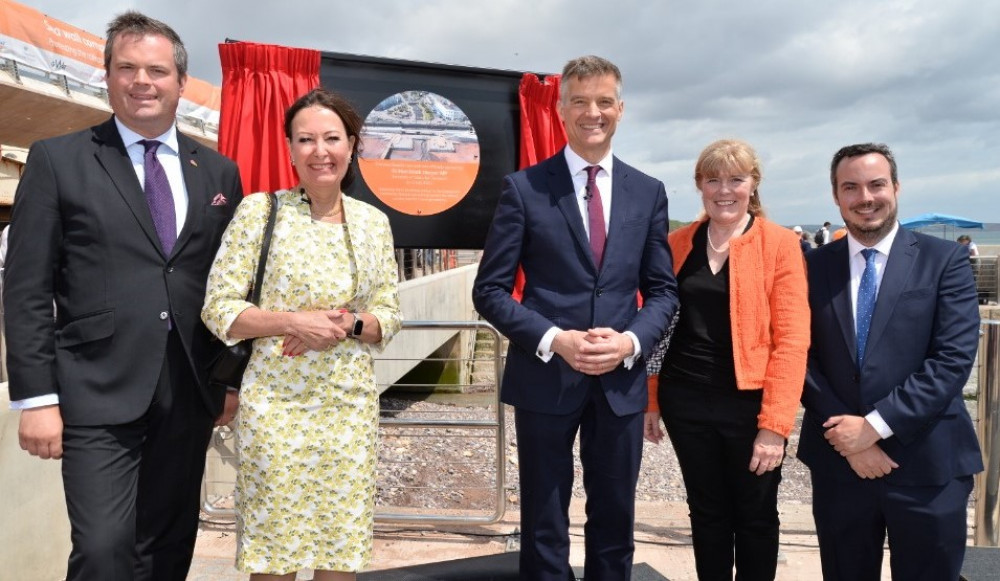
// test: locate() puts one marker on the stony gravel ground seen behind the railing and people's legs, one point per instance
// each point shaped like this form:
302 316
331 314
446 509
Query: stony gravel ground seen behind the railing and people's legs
453 468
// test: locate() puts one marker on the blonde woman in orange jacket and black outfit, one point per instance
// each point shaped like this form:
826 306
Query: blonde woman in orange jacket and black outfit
729 384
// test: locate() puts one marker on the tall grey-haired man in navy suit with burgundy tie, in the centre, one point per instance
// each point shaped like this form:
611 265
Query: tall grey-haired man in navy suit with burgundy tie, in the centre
576 339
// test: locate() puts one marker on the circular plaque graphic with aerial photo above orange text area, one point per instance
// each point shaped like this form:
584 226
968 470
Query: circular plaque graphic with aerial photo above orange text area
421 153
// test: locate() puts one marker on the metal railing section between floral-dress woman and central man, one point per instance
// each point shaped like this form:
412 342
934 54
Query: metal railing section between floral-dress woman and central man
442 456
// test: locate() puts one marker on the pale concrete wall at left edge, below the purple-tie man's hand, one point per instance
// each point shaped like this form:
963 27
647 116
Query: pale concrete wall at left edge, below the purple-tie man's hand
34 529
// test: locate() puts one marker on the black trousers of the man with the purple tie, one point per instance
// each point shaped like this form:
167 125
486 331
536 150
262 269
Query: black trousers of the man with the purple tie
133 490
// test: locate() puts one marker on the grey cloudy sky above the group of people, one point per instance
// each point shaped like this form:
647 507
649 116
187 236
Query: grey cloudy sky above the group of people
796 79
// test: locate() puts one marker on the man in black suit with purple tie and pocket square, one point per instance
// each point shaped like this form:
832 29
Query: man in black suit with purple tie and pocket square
120 233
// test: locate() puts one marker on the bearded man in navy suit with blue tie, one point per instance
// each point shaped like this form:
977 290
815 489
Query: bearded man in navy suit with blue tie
886 434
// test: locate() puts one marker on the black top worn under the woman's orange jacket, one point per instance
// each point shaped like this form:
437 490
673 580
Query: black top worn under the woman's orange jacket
701 349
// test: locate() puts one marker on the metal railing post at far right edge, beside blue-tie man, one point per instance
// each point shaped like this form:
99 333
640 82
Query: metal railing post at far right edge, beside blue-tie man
987 483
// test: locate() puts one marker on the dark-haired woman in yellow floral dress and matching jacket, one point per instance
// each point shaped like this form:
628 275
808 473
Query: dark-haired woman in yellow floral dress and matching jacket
308 414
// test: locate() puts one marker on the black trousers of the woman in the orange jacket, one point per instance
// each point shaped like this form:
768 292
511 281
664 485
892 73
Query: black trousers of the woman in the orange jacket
734 512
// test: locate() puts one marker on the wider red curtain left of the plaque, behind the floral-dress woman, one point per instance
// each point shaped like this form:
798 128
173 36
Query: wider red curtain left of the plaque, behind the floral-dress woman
259 82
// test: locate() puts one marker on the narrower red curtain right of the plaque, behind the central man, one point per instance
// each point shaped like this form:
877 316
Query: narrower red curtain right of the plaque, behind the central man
542 131
